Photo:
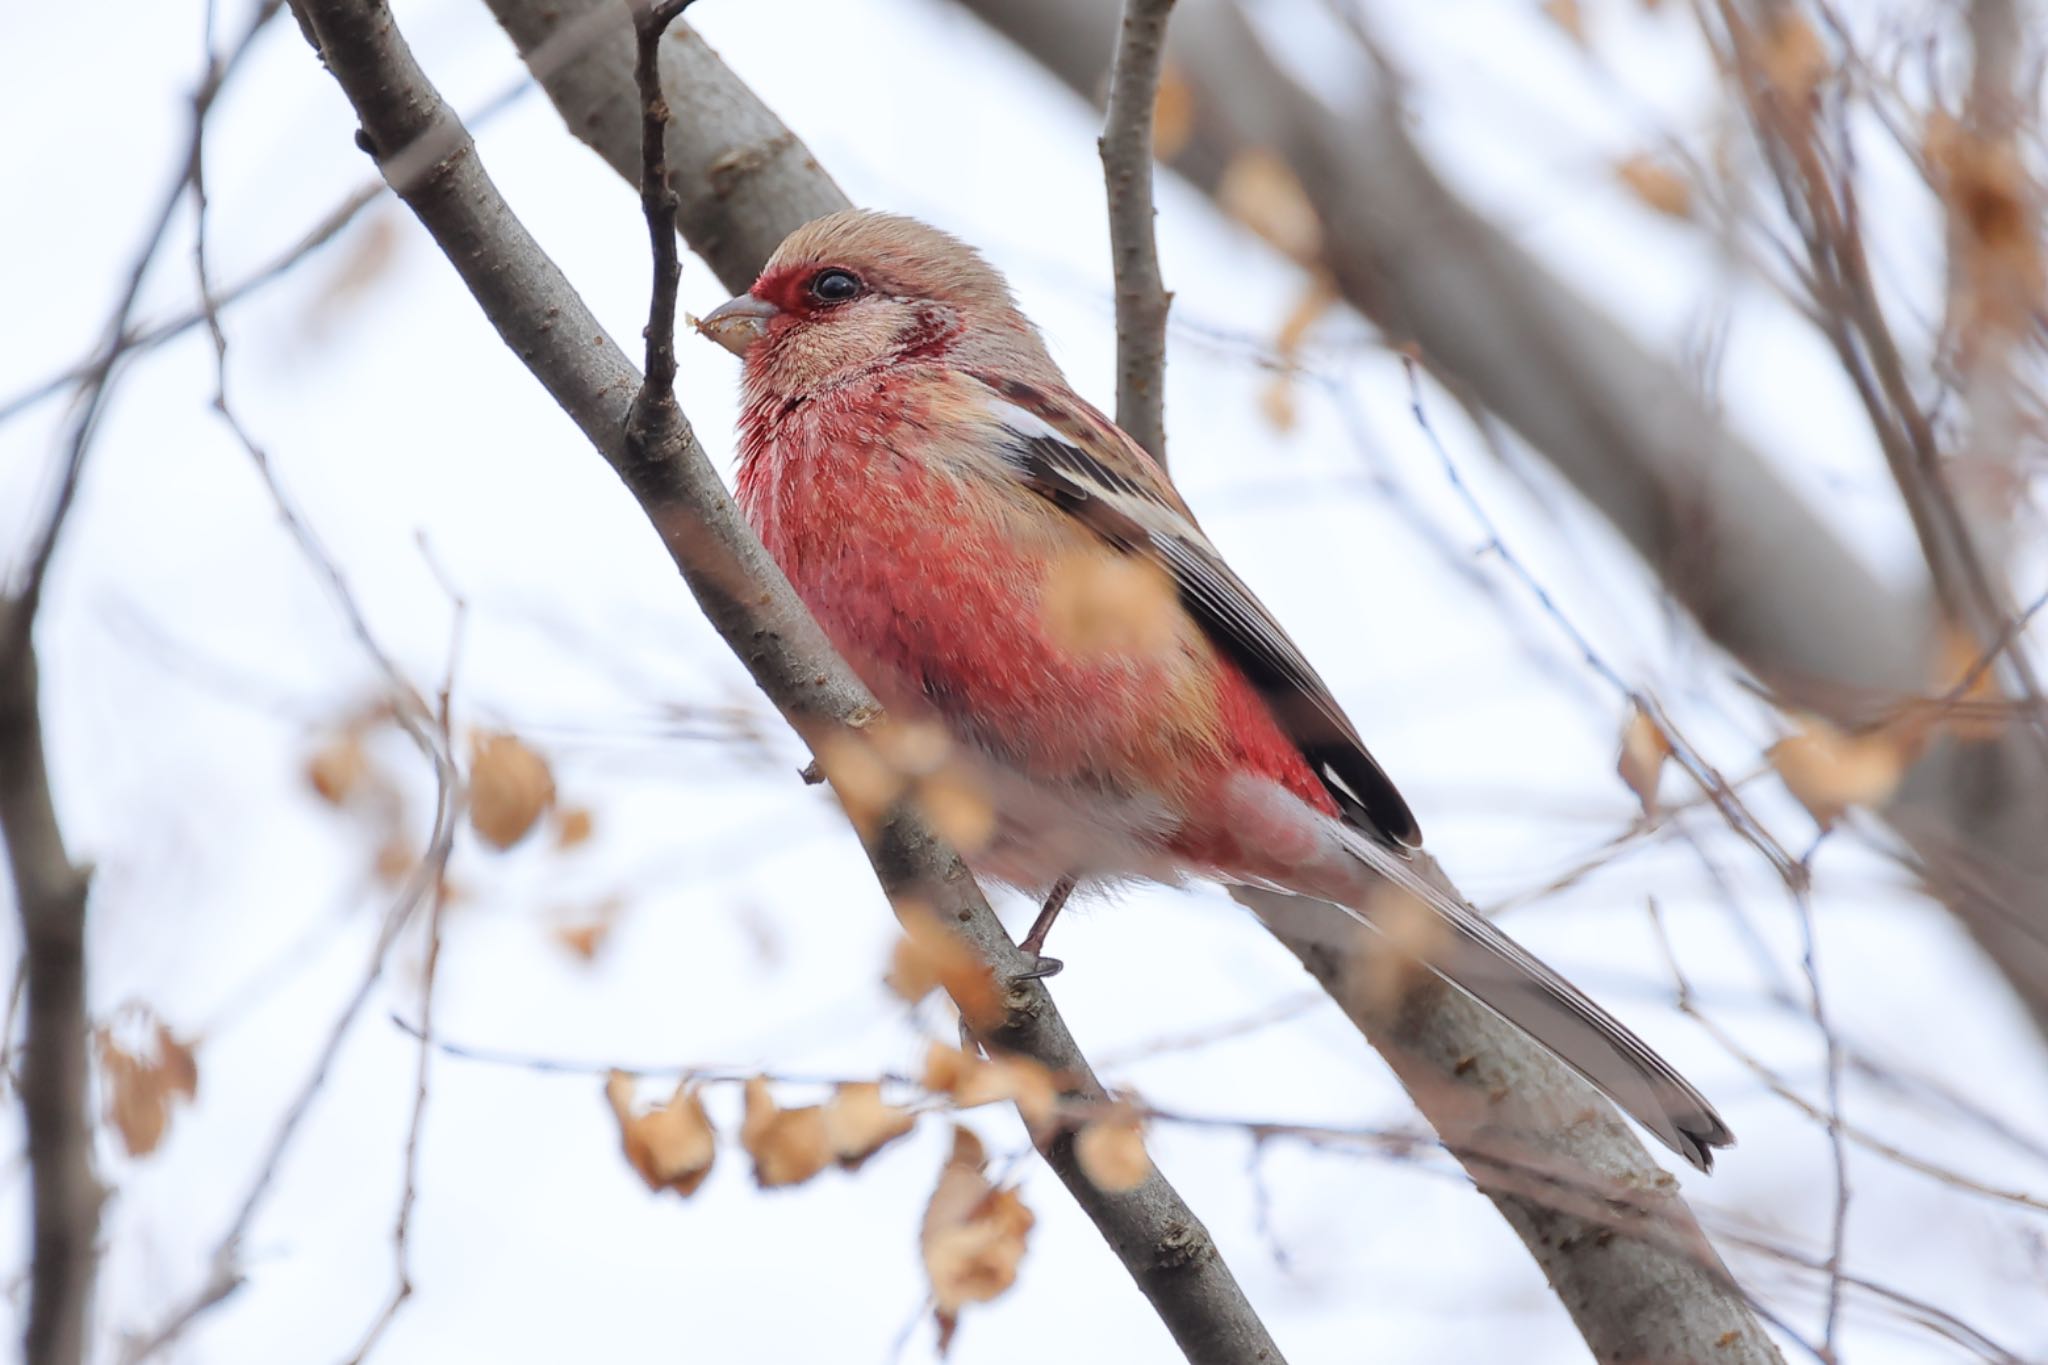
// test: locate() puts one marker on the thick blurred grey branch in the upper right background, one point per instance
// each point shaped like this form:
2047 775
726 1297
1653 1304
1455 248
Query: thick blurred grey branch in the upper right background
1732 541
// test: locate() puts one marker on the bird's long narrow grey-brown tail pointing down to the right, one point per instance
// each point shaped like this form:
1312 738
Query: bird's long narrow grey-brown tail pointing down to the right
1469 953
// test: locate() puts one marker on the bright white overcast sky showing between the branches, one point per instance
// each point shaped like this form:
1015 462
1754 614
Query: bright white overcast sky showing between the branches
194 662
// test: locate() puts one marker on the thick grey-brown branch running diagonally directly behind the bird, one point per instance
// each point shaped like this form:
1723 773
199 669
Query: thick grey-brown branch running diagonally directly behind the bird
1453 1053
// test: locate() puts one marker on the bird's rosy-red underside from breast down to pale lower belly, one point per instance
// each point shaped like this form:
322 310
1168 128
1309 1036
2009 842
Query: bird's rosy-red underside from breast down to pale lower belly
947 601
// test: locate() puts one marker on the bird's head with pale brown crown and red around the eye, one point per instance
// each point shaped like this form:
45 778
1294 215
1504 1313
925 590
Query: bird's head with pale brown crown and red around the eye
861 292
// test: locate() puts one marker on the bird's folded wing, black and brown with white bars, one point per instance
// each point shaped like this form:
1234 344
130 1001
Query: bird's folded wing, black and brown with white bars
1076 459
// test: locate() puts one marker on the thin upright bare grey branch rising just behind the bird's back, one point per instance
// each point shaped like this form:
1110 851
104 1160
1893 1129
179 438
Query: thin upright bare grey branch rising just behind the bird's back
1127 171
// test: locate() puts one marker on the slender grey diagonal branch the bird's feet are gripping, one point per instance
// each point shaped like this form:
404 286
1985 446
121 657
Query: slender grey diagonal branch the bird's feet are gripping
746 599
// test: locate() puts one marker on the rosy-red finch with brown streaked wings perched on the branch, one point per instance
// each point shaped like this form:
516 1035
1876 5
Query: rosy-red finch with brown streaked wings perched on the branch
955 515
